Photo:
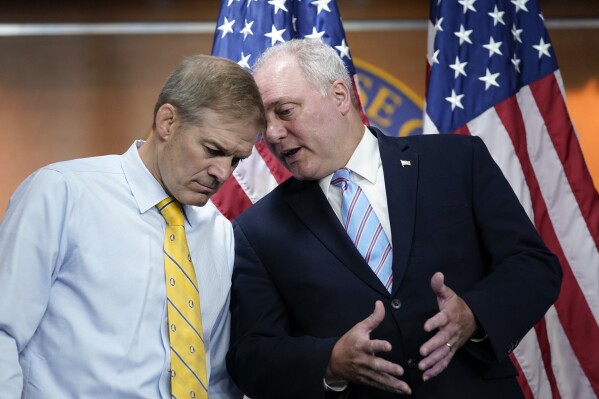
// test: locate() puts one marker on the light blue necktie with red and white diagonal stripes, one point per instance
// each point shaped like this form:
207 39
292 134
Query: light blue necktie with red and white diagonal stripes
364 228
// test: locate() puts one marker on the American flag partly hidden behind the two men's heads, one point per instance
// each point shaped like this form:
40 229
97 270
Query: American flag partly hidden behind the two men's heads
245 28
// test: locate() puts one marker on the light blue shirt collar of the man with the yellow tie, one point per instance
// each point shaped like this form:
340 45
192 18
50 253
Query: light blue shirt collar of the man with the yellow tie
145 188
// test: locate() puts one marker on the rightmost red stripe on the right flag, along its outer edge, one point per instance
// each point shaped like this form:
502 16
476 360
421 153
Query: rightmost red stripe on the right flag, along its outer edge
551 104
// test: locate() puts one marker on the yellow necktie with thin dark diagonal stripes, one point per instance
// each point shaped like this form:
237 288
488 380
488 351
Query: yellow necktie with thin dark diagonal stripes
188 357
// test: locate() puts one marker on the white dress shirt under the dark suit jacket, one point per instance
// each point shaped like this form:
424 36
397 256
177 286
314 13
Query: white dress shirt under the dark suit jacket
367 172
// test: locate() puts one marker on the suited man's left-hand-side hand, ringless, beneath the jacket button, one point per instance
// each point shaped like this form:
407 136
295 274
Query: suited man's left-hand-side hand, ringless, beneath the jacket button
354 357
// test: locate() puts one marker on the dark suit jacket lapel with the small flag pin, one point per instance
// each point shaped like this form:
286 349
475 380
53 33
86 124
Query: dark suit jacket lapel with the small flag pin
401 185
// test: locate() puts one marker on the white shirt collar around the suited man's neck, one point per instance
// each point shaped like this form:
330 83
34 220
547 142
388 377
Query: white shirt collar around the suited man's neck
361 160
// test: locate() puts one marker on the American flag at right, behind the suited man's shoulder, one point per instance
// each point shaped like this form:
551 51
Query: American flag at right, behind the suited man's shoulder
492 72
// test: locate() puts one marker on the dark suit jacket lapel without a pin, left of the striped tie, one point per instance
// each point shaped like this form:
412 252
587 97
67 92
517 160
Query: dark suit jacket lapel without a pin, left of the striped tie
312 208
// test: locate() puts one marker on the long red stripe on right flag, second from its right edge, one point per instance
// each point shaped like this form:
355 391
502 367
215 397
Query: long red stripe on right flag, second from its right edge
579 326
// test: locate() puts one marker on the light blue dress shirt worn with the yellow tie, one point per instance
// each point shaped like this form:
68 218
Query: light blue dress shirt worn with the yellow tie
82 290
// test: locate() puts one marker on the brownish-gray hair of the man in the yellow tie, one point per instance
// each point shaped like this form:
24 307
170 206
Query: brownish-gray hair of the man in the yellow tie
207 82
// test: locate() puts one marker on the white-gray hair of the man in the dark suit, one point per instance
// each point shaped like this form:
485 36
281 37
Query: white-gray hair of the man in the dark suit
319 62
